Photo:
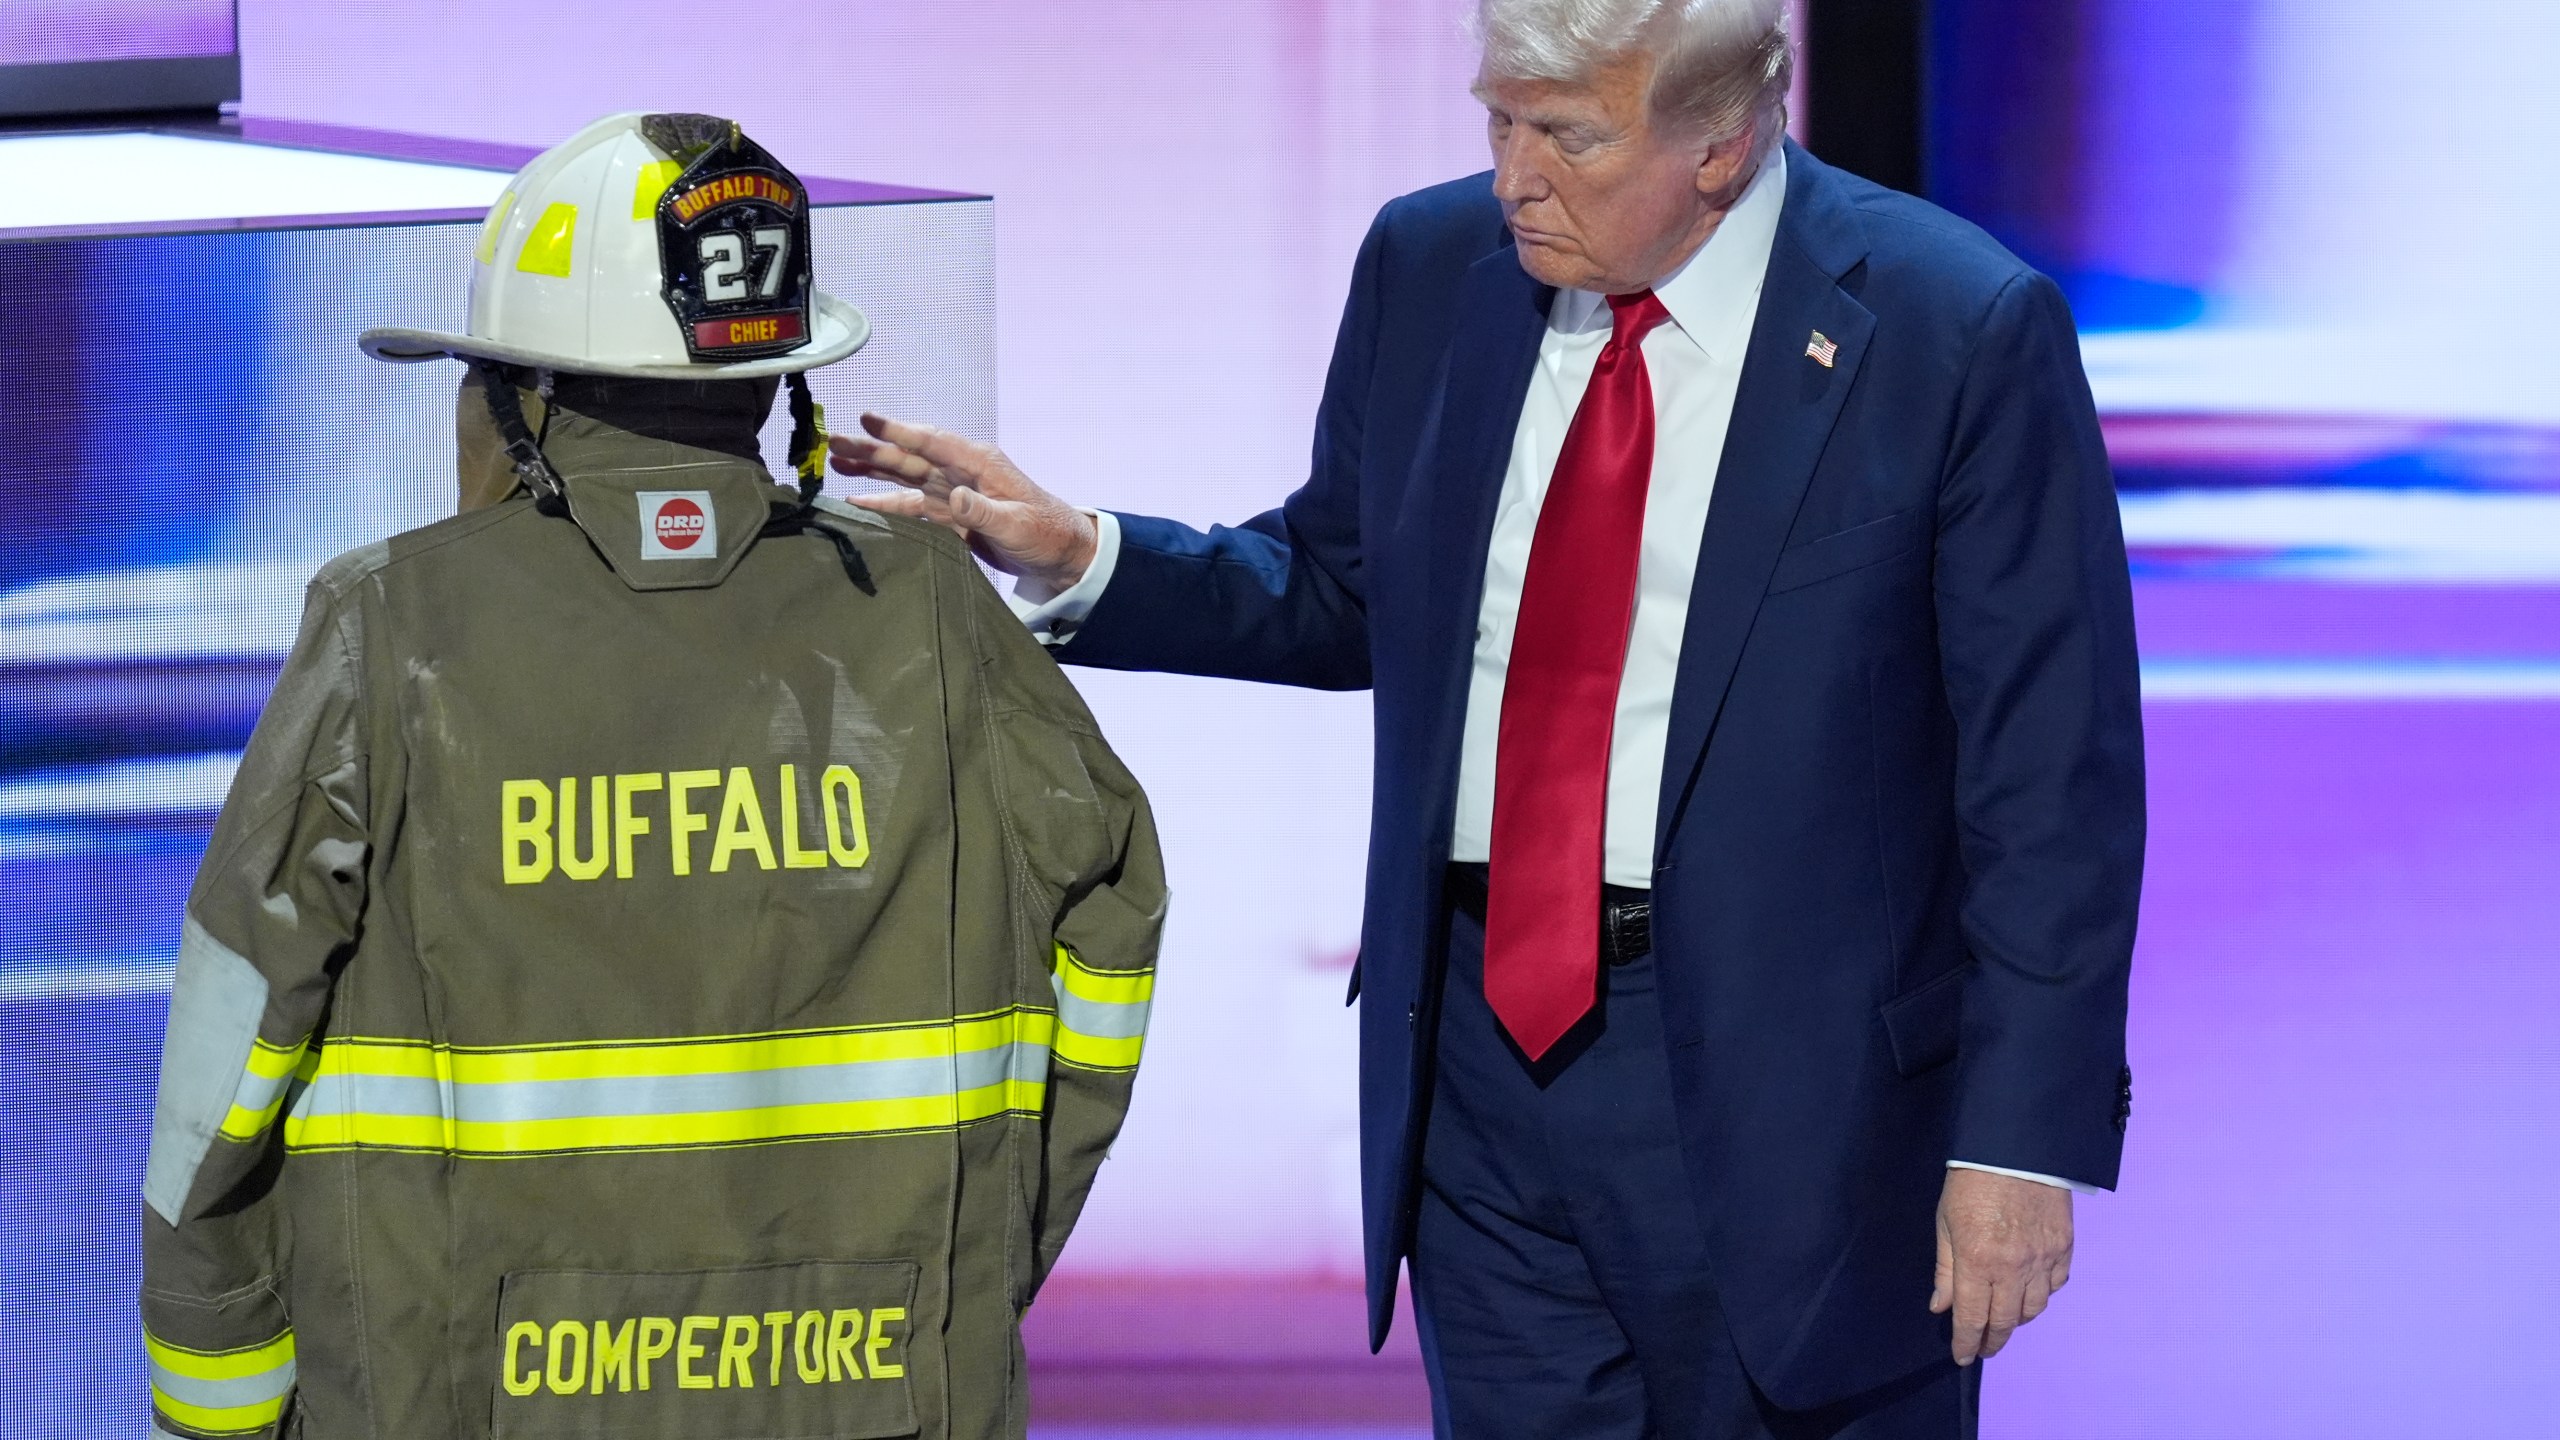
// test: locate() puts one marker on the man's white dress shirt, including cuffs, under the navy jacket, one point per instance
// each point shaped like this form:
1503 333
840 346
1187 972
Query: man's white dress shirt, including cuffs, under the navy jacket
1696 368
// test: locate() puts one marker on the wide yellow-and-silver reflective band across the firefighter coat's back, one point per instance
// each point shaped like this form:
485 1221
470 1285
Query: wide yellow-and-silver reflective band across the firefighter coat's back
654 1095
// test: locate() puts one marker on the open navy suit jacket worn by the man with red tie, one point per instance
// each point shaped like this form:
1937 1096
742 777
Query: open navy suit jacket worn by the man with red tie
1901 819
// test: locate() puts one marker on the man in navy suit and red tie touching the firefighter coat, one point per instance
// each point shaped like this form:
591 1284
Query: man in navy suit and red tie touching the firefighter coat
1760 785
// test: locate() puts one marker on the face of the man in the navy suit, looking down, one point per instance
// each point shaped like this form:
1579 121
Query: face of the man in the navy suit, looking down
1596 193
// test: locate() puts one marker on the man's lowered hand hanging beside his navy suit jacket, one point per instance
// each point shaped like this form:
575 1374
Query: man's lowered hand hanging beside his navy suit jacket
2003 1252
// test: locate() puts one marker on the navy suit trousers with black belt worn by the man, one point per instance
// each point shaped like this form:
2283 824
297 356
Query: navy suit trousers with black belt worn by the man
1560 1267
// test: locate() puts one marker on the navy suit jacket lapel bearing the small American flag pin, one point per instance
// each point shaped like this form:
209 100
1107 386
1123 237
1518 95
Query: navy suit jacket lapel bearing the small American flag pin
1783 419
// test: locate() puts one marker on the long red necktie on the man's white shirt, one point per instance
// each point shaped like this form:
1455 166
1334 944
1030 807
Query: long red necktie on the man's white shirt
1550 778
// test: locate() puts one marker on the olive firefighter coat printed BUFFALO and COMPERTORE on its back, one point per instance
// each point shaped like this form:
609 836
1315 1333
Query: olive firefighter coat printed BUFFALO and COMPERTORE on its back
652 978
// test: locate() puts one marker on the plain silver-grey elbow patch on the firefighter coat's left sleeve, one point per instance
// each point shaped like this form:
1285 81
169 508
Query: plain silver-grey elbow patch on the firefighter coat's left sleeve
214 1021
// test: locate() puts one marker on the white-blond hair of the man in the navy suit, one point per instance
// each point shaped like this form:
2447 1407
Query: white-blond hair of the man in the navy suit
1722 68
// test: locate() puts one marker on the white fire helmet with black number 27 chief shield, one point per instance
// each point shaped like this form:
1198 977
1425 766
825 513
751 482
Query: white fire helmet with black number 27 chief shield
657 247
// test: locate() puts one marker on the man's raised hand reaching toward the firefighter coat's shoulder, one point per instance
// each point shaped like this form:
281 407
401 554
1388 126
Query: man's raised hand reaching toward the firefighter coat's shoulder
972 488
